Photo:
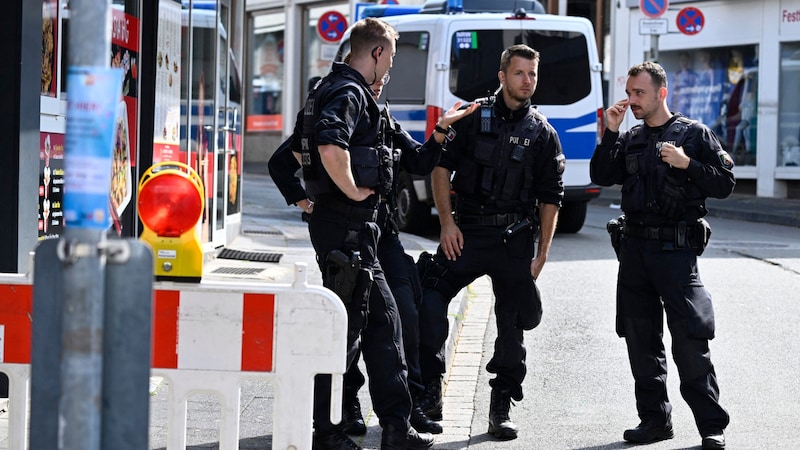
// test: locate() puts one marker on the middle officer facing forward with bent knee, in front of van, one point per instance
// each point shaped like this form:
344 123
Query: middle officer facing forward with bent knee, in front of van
508 164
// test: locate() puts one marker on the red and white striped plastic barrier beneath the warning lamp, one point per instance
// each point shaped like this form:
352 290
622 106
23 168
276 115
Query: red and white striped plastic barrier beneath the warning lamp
210 337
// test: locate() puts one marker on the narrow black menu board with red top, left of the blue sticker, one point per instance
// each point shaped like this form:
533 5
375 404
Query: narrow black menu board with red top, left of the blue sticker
51 185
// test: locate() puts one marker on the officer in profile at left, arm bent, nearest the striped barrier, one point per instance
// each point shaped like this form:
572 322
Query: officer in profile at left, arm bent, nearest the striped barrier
346 174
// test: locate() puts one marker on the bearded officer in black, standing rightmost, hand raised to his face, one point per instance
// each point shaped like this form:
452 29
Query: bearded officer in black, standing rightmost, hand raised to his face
667 166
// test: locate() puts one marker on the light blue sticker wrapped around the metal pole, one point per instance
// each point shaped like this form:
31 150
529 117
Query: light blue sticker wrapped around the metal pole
94 93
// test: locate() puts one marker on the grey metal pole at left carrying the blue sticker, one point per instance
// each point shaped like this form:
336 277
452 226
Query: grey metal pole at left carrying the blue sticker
81 253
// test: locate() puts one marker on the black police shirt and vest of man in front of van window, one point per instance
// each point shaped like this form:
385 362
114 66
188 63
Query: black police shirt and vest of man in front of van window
529 168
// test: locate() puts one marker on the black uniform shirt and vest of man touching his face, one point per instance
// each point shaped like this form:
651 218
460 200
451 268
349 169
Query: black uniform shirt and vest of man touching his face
631 159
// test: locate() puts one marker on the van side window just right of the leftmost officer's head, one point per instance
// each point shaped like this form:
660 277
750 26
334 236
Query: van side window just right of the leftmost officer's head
411 59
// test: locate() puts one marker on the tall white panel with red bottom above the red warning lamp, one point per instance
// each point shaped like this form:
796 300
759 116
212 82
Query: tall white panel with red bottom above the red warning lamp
166 137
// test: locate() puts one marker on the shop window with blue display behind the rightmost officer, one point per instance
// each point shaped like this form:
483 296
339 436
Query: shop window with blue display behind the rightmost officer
718 87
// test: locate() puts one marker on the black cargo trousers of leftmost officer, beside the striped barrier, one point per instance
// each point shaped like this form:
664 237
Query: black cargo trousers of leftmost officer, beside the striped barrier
333 228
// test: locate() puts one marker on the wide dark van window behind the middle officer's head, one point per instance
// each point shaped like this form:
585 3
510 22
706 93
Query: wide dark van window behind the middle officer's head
564 70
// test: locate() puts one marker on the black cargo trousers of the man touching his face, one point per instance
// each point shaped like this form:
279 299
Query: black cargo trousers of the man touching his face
655 278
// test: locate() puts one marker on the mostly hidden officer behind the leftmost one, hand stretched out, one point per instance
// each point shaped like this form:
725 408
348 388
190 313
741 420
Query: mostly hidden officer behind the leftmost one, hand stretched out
400 269
